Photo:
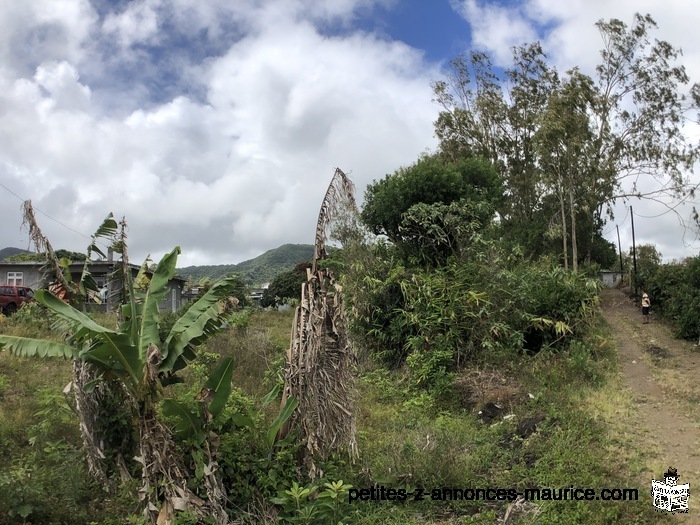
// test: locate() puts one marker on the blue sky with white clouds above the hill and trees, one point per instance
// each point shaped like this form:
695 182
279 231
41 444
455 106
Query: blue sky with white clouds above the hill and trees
216 126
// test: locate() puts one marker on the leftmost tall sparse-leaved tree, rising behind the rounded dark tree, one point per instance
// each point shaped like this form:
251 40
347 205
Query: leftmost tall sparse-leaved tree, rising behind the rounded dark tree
497 118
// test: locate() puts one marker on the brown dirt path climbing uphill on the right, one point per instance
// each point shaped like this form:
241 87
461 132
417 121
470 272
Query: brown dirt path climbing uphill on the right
663 375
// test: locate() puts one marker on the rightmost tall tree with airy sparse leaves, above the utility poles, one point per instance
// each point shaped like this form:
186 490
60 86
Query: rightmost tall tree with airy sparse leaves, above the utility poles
641 110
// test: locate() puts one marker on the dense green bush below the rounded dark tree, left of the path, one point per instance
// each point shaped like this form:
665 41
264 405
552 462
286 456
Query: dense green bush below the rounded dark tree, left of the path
488 300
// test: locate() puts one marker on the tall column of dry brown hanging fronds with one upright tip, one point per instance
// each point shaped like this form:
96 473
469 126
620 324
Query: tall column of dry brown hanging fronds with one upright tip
319 368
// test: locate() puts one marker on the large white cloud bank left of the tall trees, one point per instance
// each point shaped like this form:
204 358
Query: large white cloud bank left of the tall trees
227 174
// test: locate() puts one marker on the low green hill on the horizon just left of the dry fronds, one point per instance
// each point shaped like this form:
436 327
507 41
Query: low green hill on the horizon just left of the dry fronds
262 268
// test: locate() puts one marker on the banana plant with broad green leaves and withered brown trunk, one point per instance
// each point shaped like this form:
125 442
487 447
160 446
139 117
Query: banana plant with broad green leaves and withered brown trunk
134 356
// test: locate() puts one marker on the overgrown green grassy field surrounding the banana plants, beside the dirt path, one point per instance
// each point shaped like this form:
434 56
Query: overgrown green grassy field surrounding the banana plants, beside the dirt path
560 423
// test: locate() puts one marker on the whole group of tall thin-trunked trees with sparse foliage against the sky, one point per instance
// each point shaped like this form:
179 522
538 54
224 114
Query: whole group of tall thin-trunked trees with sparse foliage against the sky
568 148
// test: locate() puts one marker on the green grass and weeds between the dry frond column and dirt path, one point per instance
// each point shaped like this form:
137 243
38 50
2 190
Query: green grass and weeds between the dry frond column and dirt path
405 447
